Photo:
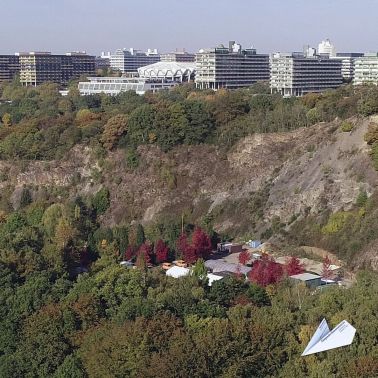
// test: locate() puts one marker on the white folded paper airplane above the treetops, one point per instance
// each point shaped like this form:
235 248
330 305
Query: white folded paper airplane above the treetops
324 339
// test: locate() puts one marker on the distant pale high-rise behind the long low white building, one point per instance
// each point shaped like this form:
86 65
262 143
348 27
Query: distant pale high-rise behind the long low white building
128 61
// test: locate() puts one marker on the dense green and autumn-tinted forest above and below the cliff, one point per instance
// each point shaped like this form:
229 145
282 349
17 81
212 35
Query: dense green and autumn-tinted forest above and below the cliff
70 310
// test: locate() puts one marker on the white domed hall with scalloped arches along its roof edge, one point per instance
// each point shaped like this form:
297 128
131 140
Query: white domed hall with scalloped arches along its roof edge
168 71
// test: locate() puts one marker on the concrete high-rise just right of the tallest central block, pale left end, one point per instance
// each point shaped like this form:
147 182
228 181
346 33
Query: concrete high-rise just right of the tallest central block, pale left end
296 74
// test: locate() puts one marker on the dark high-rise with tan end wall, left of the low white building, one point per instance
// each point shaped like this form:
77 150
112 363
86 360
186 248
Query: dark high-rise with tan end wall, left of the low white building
40 67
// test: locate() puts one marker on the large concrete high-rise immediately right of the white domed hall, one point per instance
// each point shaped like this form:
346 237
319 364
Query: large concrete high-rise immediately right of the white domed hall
230 67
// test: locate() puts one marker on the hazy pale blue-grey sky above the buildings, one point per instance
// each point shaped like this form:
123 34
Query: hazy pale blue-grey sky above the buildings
104 25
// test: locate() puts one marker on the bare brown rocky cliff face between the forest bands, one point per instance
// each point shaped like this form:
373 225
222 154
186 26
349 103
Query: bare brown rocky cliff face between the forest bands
263 176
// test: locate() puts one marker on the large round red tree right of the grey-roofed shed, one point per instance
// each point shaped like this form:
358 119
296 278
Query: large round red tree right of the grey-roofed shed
265 271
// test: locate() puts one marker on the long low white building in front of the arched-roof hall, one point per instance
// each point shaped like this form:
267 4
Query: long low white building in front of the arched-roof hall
115 85
